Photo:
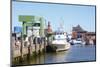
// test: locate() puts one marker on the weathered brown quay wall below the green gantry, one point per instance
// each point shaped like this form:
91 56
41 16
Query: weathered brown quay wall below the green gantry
20 50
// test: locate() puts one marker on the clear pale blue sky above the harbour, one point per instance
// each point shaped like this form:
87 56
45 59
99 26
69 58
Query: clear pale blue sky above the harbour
67 15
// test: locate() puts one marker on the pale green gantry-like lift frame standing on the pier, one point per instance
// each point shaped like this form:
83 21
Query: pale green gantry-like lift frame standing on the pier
31 21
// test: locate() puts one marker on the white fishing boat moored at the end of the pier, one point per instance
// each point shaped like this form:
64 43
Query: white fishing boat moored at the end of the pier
60 41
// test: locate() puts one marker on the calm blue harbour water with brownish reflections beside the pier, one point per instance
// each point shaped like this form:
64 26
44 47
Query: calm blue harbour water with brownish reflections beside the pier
74 54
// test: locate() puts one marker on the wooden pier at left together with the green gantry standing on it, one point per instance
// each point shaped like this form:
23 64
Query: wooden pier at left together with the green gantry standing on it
31 40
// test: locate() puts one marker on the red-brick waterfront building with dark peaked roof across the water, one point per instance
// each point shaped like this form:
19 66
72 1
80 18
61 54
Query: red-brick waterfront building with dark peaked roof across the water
79 32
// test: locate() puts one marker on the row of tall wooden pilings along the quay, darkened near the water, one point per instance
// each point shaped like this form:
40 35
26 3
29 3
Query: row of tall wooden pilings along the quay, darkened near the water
33 50
